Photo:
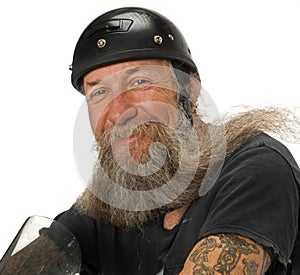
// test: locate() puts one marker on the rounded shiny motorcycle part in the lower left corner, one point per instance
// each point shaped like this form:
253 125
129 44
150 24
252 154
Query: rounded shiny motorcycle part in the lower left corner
54 251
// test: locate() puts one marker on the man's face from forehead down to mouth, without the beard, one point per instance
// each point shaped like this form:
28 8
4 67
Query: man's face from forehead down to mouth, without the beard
125 95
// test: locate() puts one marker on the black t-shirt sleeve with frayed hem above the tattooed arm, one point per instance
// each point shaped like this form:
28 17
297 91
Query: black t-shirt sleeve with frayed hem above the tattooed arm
256 197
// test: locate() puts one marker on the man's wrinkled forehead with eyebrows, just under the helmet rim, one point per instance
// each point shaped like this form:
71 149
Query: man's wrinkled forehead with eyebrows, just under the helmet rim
148 65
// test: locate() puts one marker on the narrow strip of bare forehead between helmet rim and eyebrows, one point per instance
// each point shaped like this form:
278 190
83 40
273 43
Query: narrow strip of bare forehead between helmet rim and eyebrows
103 72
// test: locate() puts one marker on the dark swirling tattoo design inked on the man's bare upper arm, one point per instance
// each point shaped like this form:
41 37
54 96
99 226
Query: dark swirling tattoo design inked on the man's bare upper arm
233 247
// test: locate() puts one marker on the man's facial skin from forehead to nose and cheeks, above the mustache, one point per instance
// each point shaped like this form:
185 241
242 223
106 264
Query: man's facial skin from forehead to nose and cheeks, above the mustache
118 103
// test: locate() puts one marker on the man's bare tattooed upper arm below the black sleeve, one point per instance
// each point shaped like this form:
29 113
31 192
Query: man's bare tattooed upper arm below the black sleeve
227 254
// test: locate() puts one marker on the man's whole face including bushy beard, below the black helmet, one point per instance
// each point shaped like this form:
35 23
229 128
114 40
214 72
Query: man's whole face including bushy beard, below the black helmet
147 150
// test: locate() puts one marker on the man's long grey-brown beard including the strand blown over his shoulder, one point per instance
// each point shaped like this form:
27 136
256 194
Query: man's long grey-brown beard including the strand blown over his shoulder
106 204
